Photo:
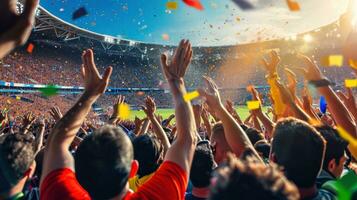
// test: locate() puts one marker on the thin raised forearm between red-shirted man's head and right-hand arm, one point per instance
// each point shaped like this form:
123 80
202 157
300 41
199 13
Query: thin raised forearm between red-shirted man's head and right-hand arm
149 109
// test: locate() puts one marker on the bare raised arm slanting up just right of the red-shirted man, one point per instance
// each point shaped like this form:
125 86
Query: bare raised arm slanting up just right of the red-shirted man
235 136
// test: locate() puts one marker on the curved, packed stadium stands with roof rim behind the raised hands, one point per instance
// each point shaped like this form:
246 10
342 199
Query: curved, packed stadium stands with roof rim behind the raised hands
131 59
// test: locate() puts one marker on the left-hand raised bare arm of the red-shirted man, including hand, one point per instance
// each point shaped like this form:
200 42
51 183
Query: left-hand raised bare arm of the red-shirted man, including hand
57 154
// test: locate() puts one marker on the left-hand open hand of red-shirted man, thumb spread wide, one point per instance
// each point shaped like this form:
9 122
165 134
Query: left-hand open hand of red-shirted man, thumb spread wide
94 83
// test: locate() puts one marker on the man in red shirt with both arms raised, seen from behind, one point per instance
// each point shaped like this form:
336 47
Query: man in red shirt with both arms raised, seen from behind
104 160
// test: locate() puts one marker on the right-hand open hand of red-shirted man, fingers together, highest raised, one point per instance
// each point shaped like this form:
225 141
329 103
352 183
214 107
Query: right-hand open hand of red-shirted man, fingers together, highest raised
177 67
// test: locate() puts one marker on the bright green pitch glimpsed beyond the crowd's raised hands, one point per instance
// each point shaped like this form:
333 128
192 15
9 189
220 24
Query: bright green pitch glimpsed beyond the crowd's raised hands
165 113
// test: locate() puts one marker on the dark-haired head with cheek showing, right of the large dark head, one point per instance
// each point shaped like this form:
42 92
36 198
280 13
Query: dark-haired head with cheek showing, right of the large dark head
335 156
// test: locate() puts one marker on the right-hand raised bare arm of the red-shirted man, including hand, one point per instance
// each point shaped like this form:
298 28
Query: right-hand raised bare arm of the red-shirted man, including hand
182 150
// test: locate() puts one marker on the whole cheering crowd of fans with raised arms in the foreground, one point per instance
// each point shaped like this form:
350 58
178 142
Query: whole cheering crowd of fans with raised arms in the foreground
202 151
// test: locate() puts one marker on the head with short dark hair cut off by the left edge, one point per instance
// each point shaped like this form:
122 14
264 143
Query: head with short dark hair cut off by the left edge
17 163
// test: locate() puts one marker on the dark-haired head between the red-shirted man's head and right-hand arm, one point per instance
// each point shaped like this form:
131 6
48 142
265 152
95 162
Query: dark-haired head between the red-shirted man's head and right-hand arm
147 151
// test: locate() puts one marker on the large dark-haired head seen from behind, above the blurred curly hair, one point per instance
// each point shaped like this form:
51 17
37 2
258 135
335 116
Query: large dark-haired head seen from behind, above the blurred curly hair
300 149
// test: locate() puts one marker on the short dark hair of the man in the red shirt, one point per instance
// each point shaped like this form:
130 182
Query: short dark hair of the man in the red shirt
103 162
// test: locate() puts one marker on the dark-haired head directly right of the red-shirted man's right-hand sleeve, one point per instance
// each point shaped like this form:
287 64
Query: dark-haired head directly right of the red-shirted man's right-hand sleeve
202 165
